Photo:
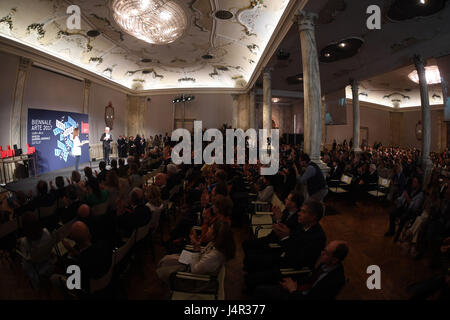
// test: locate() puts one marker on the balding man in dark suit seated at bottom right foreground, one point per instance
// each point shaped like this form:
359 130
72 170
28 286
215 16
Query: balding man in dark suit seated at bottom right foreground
324 283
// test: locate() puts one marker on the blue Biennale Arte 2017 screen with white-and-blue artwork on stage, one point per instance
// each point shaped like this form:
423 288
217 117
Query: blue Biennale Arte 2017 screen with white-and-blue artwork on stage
51 132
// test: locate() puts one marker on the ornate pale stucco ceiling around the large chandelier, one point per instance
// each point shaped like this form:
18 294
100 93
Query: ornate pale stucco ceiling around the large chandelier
211 53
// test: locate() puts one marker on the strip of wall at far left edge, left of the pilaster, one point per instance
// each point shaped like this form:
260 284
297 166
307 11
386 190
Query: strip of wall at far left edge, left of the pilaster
8 65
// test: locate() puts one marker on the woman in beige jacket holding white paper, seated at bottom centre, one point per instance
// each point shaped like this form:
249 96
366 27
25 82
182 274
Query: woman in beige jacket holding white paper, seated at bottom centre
208 261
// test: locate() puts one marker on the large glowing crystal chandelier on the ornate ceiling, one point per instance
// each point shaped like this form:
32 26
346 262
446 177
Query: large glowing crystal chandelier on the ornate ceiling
154 21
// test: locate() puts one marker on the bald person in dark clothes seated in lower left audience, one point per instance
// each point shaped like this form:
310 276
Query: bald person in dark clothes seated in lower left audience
94 259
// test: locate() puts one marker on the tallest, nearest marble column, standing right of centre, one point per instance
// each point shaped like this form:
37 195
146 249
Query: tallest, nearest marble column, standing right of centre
311 87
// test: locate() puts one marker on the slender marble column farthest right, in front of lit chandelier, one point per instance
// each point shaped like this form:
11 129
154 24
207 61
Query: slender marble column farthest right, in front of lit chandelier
426 118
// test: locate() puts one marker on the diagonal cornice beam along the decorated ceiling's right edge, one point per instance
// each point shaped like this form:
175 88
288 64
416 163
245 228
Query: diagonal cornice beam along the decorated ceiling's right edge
285 24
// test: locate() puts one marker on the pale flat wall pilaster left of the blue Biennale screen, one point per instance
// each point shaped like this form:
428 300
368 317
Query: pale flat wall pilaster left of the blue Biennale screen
18 118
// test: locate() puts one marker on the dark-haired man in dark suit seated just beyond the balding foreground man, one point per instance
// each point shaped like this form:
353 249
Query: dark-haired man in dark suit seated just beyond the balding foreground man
298 248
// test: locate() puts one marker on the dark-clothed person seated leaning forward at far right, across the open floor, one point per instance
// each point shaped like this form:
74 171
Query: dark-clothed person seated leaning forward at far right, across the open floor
407 206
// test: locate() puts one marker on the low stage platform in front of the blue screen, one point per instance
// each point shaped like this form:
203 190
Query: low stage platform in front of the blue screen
31 182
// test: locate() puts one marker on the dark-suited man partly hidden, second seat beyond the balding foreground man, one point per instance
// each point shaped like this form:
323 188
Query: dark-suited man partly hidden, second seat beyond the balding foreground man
288 217
